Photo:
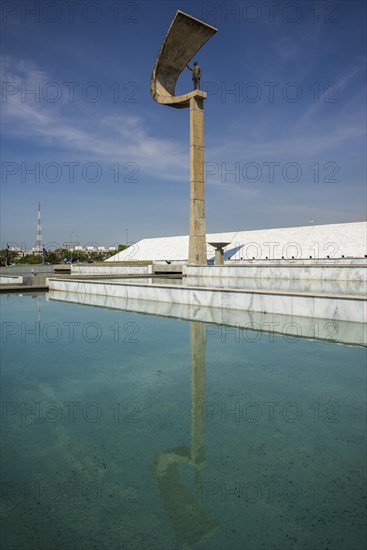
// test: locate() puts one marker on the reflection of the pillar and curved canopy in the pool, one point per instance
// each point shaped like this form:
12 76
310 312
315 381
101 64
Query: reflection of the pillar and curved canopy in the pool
190 521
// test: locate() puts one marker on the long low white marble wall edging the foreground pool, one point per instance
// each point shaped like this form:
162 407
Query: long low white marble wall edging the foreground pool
332 307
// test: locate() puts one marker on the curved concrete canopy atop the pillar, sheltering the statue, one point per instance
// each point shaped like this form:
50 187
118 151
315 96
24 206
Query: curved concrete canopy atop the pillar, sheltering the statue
184 38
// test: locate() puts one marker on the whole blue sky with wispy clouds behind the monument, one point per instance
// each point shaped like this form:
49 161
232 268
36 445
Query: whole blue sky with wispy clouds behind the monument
284 120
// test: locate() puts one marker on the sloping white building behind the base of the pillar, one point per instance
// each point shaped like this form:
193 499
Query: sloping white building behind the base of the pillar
318 241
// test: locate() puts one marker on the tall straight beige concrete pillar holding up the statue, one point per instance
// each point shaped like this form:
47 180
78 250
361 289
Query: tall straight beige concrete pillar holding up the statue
197 235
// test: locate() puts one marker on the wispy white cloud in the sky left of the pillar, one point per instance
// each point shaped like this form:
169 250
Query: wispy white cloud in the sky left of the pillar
106 138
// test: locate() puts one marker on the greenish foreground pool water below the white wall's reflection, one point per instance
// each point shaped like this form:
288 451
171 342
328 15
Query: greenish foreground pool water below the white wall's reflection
128 431
